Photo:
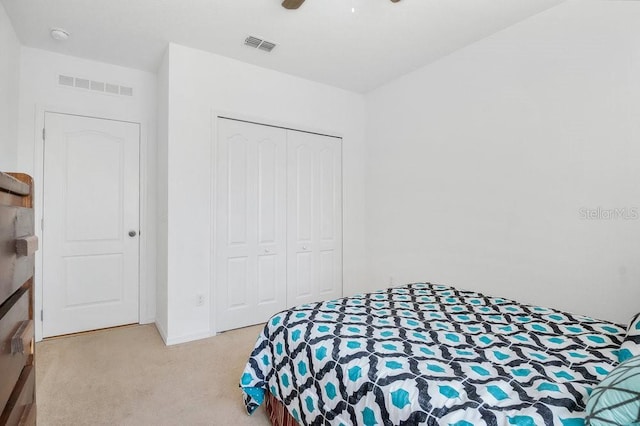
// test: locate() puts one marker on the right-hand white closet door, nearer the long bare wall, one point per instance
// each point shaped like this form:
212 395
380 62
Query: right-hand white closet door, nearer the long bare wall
314 228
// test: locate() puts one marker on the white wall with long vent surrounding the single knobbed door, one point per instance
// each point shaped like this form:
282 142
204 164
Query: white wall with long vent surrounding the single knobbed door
39 92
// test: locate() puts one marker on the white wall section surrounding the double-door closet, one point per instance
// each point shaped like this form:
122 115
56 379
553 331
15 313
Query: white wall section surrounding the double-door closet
201 84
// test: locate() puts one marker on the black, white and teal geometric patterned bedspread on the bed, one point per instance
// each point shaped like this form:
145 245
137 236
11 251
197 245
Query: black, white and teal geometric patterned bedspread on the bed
430 354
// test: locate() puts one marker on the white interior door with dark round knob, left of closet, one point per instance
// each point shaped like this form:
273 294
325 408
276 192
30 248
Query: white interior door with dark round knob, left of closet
91 224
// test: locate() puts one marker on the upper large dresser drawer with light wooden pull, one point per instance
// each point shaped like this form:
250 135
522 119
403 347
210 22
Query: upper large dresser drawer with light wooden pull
15 222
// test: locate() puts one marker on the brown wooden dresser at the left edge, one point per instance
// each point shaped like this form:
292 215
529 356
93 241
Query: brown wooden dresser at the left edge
17 346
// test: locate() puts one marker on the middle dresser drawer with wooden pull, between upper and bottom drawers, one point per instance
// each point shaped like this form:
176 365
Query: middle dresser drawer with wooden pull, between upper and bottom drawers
13 313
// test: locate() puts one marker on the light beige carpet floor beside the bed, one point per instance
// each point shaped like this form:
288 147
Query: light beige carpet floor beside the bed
127 376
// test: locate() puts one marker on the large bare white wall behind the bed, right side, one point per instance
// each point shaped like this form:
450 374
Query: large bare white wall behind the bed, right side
478 166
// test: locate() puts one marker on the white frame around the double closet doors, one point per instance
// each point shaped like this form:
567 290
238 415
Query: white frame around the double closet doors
263 121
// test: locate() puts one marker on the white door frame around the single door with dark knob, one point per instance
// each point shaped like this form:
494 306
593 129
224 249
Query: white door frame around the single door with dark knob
146 303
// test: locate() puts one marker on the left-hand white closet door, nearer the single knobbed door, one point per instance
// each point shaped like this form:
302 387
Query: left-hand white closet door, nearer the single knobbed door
250 223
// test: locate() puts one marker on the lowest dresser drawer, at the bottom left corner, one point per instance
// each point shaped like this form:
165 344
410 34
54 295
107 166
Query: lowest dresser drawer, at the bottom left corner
20 409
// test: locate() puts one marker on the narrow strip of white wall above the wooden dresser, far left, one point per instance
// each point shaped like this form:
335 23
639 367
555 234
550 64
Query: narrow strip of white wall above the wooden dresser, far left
9 79
